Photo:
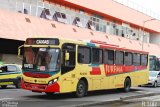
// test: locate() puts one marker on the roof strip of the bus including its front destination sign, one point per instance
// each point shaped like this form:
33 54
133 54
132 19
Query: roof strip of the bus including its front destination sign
91 43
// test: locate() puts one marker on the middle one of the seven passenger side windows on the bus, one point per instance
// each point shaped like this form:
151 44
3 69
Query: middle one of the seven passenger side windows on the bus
119 57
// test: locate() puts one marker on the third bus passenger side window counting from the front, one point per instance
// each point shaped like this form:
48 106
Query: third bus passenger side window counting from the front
108 56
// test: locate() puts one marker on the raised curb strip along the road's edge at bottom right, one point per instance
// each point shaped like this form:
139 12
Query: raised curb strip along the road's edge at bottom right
117 100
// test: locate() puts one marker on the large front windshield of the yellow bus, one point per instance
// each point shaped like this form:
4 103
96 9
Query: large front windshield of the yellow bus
41 59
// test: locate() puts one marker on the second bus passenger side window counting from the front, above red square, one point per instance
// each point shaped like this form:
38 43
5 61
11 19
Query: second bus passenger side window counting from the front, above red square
96 56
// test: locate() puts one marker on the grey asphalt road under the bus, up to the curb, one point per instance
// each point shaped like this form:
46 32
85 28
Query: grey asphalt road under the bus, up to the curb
30 99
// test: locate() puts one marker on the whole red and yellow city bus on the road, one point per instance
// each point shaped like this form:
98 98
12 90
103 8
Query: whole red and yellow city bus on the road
54 65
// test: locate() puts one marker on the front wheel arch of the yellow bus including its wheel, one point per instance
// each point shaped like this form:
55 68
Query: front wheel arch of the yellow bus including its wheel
82 87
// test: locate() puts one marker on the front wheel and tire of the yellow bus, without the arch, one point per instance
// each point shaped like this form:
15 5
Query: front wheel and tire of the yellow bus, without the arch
81 89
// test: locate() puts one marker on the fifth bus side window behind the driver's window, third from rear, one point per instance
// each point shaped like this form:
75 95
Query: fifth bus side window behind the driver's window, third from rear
128 58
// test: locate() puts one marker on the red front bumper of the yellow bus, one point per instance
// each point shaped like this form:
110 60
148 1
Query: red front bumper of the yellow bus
40 87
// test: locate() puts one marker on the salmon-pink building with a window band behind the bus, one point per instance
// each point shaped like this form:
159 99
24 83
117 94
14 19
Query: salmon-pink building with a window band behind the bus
107 21
